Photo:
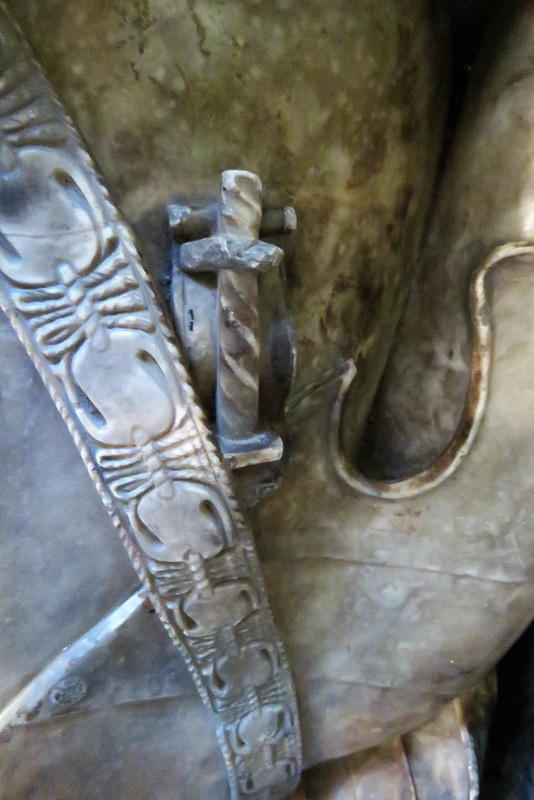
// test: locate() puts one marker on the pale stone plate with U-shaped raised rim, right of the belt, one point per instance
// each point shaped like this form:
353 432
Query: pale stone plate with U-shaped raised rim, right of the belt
425 594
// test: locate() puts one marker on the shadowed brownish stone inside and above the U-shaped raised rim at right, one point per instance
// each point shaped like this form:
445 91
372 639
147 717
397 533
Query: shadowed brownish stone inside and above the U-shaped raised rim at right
485 199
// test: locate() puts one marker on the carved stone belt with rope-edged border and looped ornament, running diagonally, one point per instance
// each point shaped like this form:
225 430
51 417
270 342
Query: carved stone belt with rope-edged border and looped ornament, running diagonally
75 291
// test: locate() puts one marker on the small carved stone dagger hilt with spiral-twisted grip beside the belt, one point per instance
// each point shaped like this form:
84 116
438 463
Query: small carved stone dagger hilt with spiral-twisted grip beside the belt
235 253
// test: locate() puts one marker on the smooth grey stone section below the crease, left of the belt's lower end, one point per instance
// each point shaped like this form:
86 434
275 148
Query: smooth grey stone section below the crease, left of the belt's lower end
120 752
